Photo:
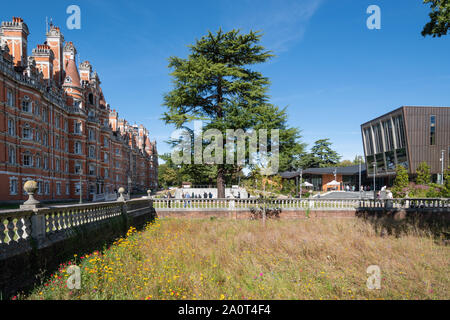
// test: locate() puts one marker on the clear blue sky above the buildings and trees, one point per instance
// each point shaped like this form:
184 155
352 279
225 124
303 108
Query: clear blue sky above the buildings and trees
330 70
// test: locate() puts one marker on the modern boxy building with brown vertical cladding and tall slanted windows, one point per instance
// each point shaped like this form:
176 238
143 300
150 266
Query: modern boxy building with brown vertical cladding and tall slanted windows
407 136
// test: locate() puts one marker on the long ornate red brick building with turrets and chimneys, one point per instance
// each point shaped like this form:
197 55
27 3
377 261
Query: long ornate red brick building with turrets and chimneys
55 124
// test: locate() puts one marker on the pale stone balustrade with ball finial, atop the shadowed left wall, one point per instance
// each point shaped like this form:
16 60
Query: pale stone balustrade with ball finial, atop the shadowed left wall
44 224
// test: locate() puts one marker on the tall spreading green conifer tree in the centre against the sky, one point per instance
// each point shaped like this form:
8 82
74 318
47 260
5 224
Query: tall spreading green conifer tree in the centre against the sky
216 84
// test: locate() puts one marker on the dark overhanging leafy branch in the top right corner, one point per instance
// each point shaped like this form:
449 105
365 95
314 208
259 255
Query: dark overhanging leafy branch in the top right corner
439 18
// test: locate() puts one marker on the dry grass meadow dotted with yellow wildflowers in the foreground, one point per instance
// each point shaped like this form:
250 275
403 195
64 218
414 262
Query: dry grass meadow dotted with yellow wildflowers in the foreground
288 259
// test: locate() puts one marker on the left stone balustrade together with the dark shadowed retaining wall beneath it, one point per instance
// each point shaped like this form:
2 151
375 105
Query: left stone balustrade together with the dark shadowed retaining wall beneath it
35 238
